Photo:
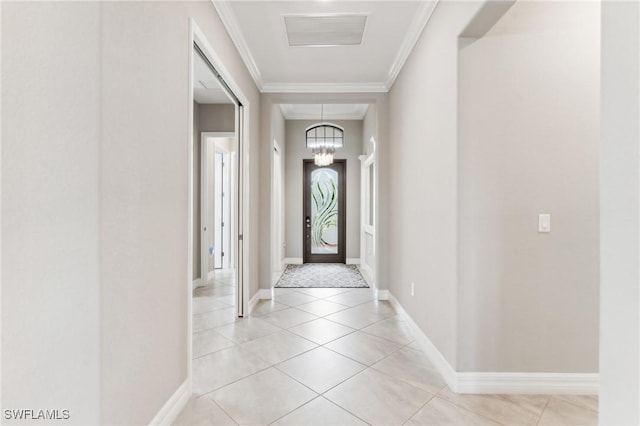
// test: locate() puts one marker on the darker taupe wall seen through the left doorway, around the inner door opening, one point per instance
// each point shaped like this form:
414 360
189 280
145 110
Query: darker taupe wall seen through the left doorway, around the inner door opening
207 118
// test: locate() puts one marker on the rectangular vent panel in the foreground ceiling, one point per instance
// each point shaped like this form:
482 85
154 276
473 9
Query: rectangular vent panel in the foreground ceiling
325 30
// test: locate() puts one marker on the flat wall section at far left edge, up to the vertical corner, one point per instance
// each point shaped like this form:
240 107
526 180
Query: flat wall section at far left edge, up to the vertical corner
50 208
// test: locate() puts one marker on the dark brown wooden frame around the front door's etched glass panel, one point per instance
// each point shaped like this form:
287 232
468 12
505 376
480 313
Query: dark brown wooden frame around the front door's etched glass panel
342 214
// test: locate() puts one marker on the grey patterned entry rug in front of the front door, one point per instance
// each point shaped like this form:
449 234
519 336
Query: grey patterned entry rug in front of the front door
313 275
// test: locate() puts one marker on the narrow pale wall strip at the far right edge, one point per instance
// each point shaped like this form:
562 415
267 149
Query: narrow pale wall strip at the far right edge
620 215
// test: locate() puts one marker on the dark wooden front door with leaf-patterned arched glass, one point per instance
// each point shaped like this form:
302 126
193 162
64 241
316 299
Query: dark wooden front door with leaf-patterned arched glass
324 220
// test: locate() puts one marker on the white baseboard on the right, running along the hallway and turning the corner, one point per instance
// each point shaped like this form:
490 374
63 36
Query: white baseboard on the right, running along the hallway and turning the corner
498 383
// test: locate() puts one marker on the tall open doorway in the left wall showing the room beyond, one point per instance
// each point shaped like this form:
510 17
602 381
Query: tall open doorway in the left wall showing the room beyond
217 190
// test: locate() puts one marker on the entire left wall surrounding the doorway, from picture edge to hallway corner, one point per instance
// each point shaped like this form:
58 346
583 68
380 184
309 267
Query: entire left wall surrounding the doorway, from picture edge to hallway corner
95 163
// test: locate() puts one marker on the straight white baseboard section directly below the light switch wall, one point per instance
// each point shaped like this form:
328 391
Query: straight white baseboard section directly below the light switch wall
528 383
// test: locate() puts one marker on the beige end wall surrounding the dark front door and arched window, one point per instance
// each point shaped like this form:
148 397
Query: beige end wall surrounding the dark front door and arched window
296 151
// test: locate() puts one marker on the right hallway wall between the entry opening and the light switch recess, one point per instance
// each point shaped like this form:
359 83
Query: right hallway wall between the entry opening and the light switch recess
423 178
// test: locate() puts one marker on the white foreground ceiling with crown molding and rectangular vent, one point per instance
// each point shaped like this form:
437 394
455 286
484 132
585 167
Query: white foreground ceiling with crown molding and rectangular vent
259 31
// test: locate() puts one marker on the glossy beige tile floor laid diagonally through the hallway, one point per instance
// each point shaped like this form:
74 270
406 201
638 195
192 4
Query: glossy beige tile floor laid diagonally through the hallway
335 357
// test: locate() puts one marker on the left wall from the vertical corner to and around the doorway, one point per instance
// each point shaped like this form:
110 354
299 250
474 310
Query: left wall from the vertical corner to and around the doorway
145 188
